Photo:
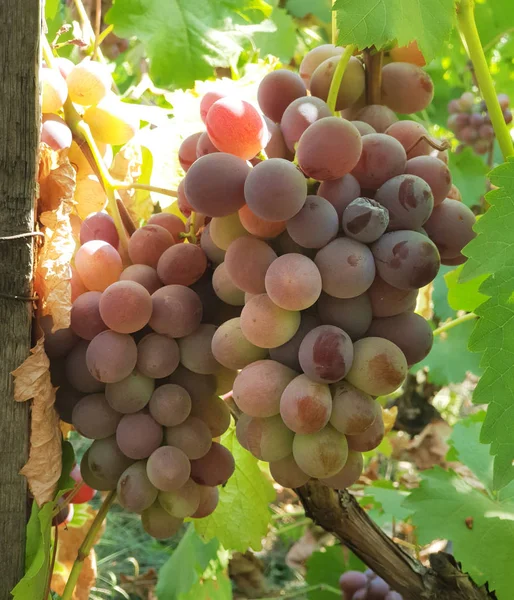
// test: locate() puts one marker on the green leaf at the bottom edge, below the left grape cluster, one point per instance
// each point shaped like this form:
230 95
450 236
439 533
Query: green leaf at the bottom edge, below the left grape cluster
195 571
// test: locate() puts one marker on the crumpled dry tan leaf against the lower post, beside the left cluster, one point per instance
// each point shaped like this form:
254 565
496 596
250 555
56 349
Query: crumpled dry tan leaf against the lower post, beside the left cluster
32 380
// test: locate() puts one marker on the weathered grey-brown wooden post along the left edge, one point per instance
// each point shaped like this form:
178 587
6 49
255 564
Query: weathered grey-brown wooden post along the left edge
20 27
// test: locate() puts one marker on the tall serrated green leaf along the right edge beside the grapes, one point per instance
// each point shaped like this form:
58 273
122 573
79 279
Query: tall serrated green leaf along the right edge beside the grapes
492 253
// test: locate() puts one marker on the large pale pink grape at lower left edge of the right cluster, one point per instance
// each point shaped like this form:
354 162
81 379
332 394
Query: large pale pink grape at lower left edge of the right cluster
259 386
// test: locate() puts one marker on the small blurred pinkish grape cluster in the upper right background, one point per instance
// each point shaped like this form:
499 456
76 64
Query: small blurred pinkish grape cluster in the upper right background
470 121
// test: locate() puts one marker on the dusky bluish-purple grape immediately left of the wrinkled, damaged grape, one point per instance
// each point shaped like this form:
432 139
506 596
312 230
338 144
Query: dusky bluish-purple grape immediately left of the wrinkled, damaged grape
315 225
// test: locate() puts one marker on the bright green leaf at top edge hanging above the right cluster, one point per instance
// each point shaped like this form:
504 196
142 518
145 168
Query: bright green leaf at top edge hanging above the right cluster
381 22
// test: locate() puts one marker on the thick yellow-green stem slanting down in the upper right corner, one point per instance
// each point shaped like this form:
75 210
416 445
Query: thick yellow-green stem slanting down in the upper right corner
469 32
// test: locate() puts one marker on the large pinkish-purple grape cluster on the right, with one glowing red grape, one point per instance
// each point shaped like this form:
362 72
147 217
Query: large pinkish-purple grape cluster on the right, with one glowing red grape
323 255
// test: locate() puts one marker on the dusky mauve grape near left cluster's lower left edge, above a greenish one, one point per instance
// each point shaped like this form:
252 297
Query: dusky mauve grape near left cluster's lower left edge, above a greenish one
94 418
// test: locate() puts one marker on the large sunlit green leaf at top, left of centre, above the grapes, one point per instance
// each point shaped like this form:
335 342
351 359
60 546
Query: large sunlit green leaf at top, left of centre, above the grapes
186 40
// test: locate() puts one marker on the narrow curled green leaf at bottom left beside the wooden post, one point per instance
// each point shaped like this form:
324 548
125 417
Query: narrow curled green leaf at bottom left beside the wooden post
37 553
